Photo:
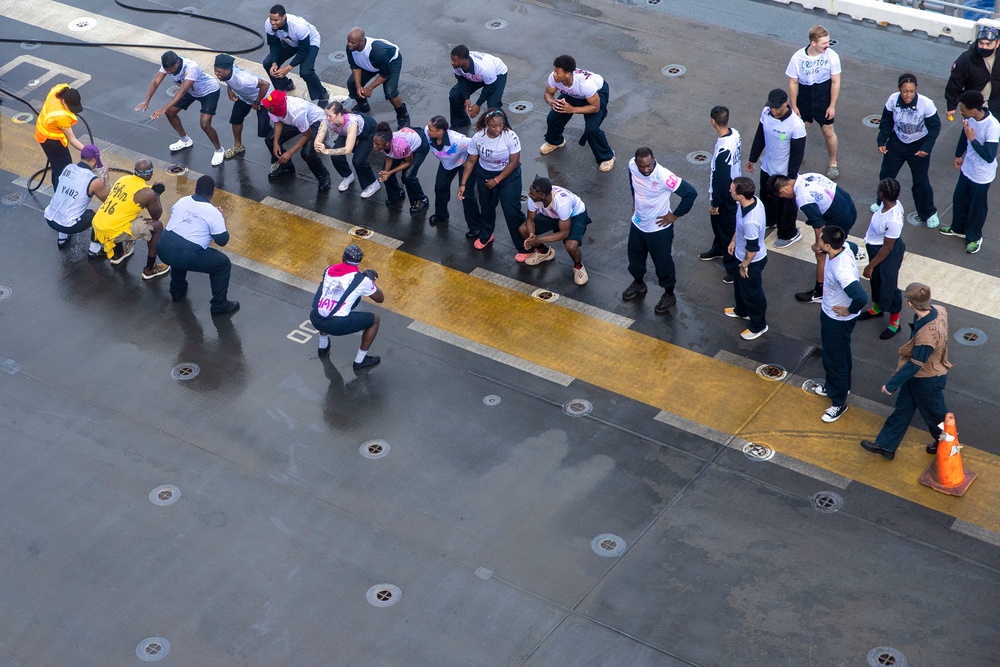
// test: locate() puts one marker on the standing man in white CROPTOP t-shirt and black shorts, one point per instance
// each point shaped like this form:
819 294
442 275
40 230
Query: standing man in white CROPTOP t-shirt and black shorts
814 88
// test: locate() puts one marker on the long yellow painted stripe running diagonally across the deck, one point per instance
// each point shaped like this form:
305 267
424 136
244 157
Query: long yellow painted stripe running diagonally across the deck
709 392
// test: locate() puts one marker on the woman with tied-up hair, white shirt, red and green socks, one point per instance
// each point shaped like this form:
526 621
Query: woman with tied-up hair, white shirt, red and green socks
885 252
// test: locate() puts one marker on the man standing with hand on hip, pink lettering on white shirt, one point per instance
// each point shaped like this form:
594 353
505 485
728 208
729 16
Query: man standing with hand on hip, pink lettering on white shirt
652 230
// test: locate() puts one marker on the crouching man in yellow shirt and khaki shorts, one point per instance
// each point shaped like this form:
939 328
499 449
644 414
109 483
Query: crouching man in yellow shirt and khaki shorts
119 222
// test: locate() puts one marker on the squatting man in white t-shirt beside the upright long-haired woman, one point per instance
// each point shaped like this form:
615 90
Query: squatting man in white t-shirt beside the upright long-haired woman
555 214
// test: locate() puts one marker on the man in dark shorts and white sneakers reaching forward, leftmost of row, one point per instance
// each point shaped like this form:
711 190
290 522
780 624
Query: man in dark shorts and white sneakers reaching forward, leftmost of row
193 84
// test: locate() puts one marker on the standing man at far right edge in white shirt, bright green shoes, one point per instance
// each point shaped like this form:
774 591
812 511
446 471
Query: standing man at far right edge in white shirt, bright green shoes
976 160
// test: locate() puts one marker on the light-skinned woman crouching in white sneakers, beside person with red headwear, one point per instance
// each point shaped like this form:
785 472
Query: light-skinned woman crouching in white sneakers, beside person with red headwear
349 133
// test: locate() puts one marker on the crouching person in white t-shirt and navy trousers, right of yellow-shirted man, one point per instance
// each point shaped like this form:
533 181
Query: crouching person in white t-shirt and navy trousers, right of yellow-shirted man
194 224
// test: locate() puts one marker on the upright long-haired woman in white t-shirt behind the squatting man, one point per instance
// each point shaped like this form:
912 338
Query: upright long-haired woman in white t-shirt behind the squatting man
494 167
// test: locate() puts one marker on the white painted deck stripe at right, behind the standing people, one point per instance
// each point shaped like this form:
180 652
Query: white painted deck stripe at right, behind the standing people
954 285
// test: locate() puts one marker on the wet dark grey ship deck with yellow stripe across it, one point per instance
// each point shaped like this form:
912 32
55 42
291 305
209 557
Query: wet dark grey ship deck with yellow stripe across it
484 516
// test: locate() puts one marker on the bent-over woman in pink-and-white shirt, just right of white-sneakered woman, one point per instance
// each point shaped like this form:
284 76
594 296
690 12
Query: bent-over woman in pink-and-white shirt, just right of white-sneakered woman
404 150
